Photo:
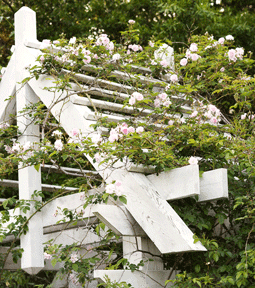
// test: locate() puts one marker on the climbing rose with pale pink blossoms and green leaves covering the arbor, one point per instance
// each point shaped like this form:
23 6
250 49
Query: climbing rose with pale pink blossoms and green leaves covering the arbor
199 110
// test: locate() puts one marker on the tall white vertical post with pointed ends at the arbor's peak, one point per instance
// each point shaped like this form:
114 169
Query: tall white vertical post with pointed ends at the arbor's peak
29 179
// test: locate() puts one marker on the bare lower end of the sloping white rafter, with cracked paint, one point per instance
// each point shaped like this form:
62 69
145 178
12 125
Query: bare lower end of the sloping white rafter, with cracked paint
157 218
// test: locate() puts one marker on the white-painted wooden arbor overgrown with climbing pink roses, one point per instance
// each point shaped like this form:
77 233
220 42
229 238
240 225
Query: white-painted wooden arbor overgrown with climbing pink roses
147 222
